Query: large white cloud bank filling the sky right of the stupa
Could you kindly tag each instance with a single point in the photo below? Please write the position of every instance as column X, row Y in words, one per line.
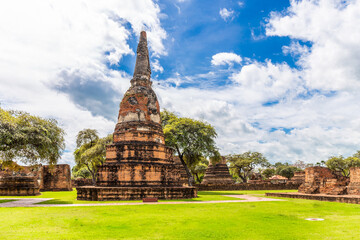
column 307, row 113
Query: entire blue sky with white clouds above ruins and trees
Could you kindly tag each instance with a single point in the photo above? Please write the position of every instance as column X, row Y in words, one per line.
column 278, row 77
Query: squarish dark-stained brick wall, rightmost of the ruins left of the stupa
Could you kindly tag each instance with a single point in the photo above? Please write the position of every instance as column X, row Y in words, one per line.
column 56, row 178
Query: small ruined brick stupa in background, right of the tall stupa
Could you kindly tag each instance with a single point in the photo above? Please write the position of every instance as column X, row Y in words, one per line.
column 218, row 174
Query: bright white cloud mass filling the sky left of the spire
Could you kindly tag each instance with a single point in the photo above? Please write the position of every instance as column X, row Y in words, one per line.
column 41, row 40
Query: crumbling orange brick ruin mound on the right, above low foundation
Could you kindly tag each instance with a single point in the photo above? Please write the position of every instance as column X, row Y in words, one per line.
column 323, row 180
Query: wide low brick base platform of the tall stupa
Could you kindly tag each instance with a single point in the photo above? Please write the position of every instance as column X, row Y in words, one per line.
column 93, row 193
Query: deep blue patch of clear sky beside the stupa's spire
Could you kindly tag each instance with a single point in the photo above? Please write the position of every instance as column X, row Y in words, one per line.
column 196, row 31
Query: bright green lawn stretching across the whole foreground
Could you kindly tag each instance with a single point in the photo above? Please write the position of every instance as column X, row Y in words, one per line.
column 257, row 220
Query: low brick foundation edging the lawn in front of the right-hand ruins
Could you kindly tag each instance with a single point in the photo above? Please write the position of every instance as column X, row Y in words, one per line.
column 320, row 197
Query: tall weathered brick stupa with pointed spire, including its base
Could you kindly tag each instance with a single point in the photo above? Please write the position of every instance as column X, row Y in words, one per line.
column 138, row 164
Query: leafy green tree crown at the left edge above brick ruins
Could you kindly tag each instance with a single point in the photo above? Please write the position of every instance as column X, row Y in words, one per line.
column 30, row 139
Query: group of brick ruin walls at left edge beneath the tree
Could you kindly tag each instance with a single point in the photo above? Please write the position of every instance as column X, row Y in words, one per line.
column 30, row 180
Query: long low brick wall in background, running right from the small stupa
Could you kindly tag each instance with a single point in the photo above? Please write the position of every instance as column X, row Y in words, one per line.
column 248, row 186
